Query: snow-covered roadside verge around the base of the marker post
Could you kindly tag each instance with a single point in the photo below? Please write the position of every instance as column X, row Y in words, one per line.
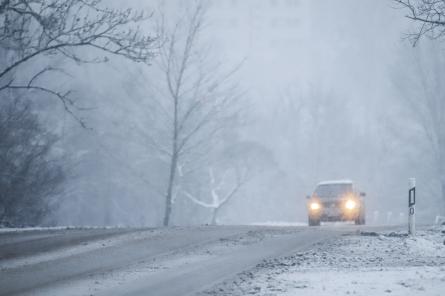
column 365, row 263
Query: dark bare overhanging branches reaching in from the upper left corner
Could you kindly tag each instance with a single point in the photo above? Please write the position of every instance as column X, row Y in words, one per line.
column 36, row 28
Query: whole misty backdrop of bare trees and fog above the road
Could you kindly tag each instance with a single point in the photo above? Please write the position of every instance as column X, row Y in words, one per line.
column 175, row 114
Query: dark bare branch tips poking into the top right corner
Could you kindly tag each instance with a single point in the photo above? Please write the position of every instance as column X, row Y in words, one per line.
column 430, row 16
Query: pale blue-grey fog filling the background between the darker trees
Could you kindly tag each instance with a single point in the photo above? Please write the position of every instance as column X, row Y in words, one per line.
column 320, row 90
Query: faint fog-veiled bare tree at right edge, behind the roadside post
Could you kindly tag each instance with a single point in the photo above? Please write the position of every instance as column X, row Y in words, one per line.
column 420, row 83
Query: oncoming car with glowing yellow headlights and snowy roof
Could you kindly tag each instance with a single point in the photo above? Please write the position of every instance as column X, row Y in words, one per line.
column 337, row 200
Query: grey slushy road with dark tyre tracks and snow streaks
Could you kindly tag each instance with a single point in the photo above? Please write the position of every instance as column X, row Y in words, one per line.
column 176, row 261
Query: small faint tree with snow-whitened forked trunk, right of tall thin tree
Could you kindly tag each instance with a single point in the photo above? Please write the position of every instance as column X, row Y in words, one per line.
column 230, row 169
